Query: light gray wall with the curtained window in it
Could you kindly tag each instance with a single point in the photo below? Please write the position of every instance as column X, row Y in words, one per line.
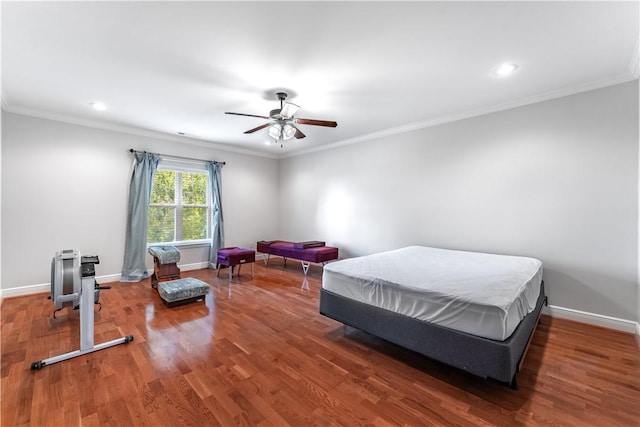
column 66, row 186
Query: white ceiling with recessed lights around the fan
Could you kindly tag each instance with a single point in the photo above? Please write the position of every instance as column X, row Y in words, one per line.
column 374, row 67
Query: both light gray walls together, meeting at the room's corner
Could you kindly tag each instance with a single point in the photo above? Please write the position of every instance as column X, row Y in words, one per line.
column 556, row 180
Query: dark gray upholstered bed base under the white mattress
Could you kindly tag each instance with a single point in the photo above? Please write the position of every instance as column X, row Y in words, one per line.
column 498, row 360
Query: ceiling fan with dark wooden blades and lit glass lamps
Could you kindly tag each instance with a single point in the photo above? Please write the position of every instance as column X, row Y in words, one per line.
column 282, row 124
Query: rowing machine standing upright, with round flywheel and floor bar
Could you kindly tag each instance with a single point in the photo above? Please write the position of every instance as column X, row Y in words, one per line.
column 73, row 284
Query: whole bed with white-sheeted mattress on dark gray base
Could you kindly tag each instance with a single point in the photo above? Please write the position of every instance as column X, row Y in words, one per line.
column 474, row 311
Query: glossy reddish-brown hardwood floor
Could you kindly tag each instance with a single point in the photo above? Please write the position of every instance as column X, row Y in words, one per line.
column 258, row 353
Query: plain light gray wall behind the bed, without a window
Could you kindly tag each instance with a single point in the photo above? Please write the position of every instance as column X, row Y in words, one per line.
column 556, row 180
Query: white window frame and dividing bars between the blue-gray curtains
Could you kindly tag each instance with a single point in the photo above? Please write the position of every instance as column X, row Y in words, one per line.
column 181, row 166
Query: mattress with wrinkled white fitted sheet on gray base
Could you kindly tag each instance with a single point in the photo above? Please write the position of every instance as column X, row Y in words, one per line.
column 481, row 294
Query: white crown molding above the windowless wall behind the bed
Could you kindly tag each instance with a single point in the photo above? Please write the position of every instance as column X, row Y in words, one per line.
column 547, row 96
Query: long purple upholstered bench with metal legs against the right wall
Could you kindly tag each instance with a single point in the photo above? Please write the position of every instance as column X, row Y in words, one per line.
column 306, row 252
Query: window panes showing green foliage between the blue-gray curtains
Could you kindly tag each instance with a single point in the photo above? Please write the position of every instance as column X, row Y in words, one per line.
column 180, row 207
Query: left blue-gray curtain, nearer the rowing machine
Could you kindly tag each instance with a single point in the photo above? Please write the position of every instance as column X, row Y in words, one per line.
column 134, row 268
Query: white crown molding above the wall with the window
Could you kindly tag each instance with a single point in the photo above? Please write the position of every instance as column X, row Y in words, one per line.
column 134, row 131
